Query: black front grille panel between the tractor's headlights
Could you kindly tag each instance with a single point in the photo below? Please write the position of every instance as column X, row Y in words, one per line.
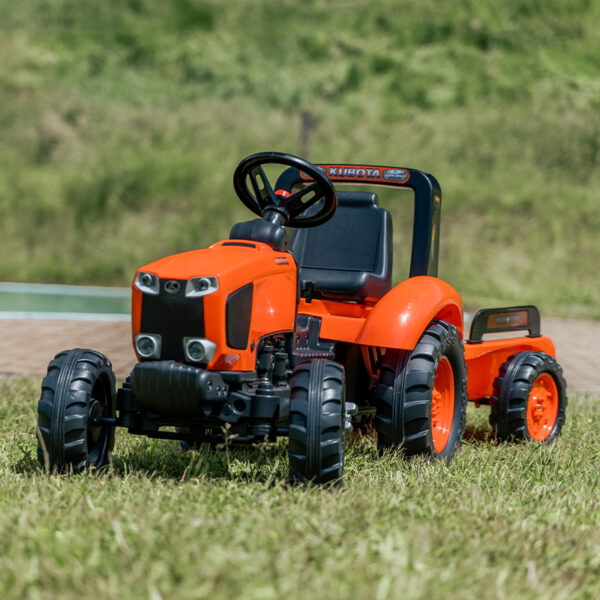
column 174, row 317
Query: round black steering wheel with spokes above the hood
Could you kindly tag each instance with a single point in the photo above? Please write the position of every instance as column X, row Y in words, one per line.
column 281, row 206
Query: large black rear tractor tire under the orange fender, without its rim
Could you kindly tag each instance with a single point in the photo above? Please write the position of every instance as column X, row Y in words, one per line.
column 404, row 392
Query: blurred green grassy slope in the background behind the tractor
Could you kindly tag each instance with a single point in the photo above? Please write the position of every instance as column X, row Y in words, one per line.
column 121, row 124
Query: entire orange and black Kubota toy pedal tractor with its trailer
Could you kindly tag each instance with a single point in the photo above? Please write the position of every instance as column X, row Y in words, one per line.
column 304, row 338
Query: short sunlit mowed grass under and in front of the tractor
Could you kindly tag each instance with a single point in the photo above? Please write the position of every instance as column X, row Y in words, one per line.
column 499, row 521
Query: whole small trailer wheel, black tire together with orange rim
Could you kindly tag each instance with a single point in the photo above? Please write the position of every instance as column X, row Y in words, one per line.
column 530, row 398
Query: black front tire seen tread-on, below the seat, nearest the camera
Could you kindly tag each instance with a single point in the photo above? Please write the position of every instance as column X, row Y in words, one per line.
column 316, row 430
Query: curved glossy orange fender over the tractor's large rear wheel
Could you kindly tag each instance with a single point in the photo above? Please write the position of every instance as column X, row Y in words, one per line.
column 399, row 318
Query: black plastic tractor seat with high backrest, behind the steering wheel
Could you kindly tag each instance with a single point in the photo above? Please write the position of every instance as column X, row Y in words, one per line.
column 350, row 256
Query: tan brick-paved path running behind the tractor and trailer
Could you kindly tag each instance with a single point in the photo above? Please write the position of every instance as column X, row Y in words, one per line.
column 27, row 345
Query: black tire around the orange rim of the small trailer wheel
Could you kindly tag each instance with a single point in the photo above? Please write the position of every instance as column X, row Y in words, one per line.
column 511, row 394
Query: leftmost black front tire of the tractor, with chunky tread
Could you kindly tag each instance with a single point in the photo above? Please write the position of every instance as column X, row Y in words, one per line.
column 77, row 382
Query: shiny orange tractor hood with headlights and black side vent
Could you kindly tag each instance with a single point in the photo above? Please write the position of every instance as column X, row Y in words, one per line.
column 230, row 295
